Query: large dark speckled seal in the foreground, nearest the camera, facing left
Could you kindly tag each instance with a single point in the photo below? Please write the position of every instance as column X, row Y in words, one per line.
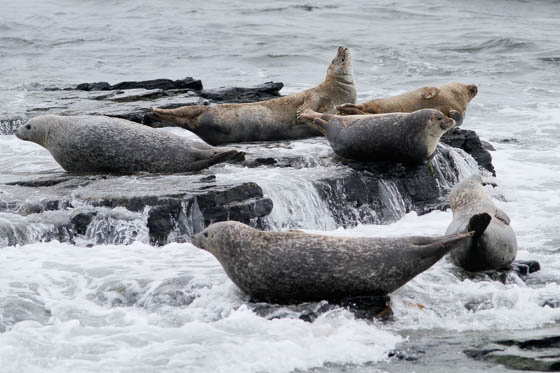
column 293, row 266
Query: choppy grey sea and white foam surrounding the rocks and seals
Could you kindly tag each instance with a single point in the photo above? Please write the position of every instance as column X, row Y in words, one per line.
column 142, row 308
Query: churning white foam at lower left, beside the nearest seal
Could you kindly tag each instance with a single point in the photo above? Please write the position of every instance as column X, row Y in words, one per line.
column 137, row 307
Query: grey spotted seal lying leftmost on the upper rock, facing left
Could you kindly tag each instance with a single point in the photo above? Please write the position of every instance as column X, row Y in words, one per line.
column 89, row 143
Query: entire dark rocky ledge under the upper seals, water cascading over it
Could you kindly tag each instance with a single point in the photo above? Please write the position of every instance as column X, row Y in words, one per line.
column 94, row 209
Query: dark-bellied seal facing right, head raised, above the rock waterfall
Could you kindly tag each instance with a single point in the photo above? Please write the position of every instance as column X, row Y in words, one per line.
column 409, row 138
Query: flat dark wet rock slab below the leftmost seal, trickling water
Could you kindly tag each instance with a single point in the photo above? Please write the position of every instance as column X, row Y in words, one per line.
column 168, row 208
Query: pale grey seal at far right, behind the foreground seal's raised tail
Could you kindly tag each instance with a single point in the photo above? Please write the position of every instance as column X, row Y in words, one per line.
column 493, row 248
